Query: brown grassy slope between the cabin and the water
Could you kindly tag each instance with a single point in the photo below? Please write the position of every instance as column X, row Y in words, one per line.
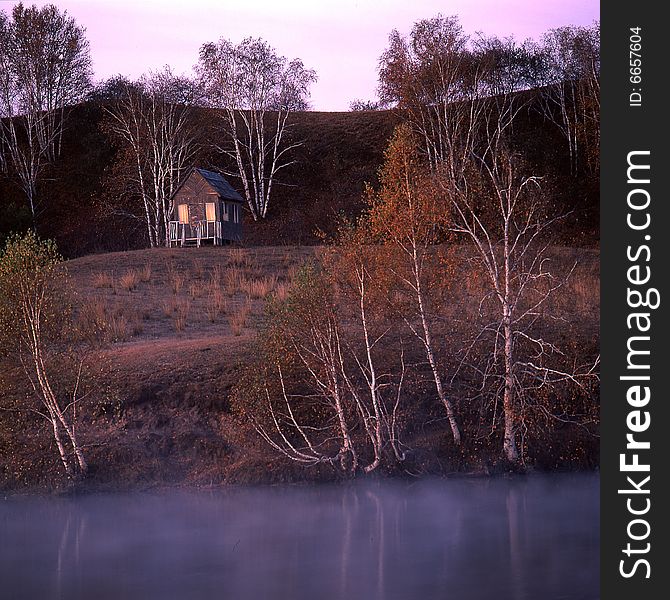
column 172, row 330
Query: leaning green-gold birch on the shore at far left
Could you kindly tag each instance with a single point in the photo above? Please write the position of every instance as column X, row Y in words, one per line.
column 35, row 325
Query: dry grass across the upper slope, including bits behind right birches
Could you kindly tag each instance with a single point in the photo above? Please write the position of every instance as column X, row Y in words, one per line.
column 228, row 301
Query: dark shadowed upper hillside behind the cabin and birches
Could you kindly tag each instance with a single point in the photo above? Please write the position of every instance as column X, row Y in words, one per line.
column 340, row 152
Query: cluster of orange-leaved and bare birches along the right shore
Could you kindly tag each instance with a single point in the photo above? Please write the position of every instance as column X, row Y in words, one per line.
column 372, row 315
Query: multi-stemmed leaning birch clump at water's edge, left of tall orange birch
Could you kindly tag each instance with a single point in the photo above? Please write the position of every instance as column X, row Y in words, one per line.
column 320, row 398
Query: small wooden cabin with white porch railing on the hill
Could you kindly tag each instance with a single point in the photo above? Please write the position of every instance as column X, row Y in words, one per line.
column 205, row 208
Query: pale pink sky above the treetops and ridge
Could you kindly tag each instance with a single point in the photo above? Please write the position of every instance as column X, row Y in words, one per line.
column 341, row 39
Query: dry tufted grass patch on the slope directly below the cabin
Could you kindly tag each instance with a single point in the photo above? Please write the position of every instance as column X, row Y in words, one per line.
column 170, row 301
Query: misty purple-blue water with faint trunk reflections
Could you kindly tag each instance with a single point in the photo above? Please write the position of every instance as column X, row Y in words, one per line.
column 535, row 537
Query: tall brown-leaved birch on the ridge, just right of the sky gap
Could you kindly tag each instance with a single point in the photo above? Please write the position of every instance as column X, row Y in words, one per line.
column 447, row 85
